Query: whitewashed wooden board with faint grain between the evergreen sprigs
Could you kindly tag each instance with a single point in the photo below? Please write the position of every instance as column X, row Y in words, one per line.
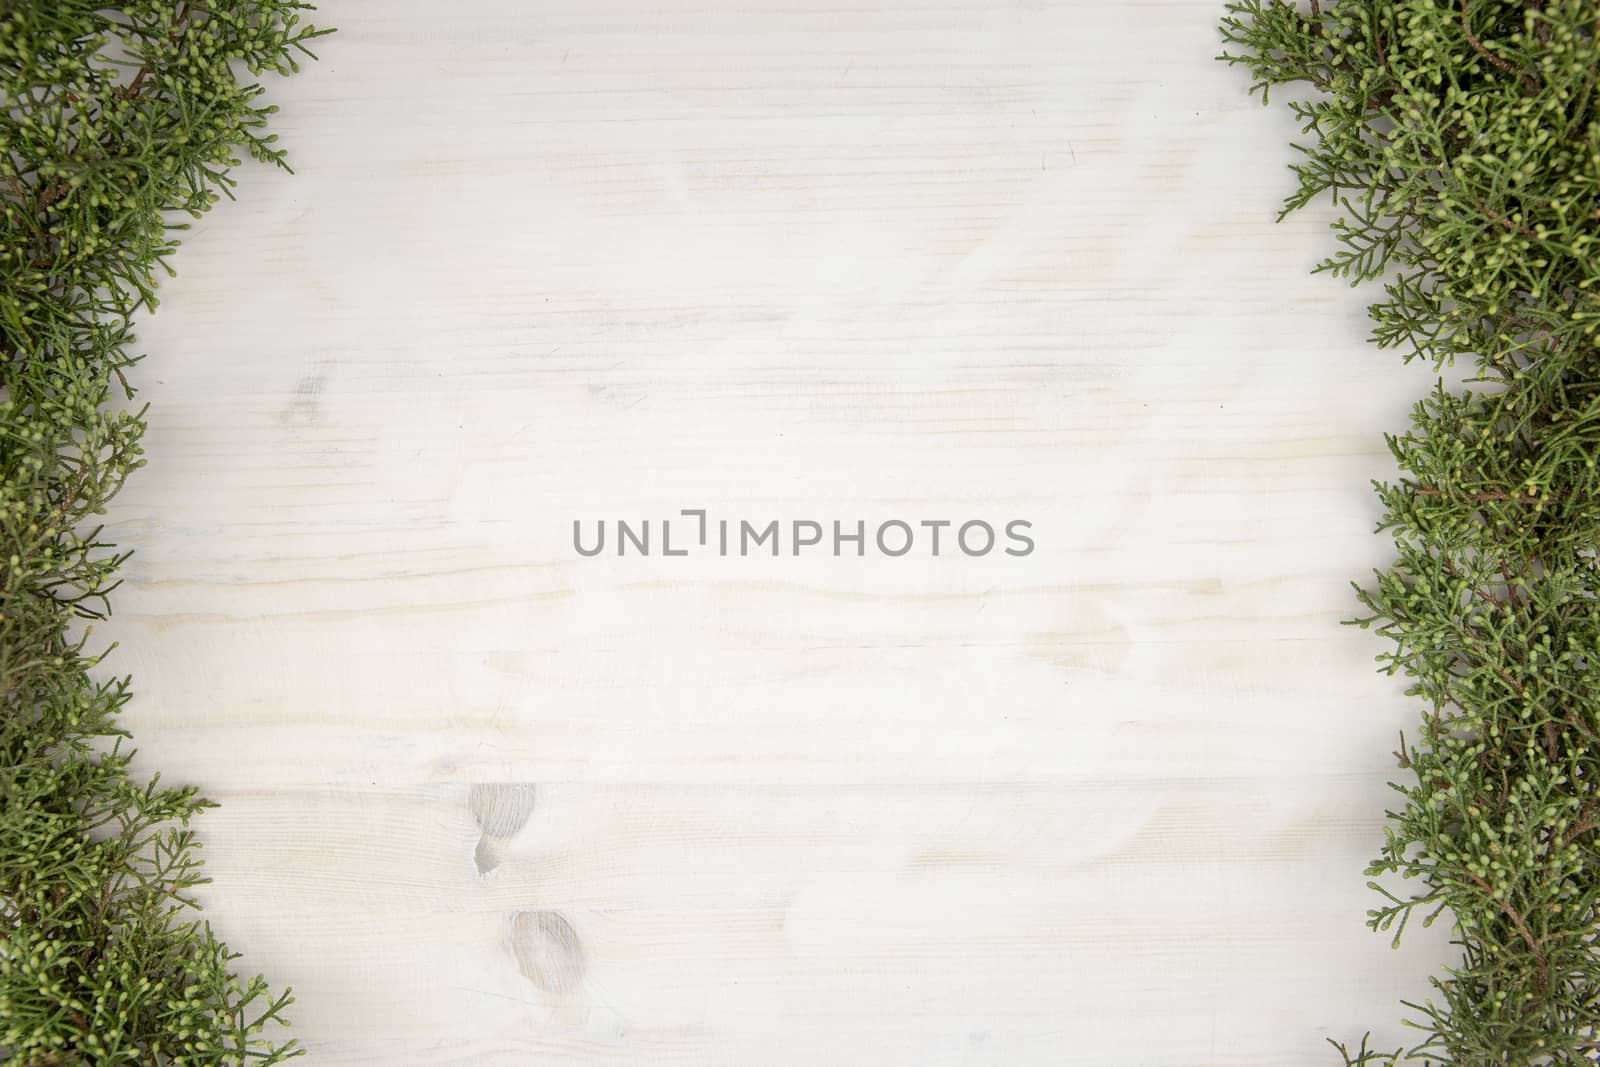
column 486, row 802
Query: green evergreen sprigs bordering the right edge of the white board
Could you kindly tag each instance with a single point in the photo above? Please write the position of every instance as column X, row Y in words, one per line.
column 1462, row 145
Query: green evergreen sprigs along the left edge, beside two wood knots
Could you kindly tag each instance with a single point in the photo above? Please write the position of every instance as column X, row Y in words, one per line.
column 118, row 122
